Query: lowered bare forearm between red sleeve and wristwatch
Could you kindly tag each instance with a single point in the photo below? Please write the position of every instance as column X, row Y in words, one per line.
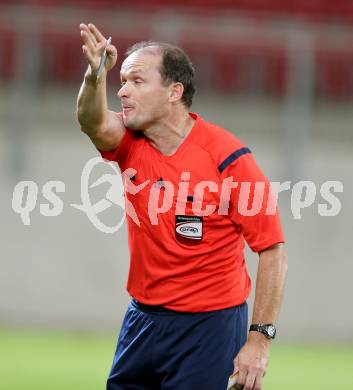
column 271, row 277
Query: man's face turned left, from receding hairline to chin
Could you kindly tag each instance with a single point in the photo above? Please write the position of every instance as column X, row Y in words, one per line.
column 144, row 98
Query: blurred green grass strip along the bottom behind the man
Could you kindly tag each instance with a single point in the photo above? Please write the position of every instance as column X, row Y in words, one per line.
column 43, row 360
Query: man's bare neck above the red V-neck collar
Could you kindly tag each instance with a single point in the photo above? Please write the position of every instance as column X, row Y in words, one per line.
column 168, row 133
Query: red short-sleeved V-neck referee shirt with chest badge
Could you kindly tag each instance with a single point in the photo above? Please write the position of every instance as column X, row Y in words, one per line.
column 183, row 259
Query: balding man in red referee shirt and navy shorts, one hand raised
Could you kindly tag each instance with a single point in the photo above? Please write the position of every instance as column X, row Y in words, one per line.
column 186, row 326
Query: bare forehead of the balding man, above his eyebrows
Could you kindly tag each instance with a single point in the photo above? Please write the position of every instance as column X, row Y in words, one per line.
column 141, row 61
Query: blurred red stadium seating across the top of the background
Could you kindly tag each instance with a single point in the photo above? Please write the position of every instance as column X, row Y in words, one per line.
column 255, row 63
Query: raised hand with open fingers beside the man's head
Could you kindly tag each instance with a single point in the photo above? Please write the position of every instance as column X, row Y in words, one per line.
column 93, row 48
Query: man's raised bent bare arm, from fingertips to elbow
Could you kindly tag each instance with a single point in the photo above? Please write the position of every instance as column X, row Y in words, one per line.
column 104, row 127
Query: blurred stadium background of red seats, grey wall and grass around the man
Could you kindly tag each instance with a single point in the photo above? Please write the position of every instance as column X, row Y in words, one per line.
column 277, row 74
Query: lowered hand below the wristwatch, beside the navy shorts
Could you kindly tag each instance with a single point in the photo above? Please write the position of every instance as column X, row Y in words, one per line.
column 252, row 361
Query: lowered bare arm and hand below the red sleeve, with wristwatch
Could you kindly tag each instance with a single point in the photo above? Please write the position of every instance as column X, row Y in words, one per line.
column 252, row 359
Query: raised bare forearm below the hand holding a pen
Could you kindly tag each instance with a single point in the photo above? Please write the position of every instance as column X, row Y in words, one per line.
column 92, row 106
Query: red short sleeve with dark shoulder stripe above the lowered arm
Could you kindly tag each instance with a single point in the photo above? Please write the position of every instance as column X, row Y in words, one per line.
column 252, row 204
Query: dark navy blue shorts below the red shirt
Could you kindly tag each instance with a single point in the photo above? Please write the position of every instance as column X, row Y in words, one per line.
column 160, row 349
